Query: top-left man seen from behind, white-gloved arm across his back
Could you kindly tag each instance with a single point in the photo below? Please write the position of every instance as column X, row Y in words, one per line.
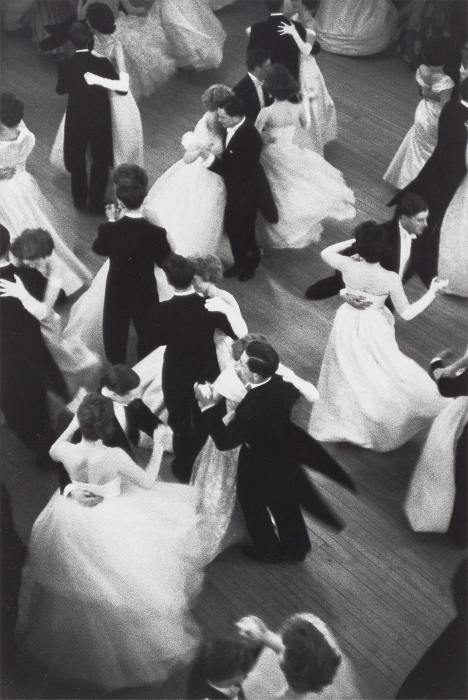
column 87, row 121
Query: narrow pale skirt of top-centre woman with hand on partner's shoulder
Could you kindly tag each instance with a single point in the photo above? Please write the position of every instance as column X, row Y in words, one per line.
column 319, row 106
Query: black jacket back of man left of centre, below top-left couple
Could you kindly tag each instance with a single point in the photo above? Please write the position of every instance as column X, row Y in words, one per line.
column 133, row 247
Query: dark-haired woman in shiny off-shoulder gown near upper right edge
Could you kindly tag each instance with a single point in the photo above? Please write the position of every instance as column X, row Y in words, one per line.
column 420, row 141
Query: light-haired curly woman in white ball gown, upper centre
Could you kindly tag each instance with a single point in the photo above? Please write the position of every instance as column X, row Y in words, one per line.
column 188, row 200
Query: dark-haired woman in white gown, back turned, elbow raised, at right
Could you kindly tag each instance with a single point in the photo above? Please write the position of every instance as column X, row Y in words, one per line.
column 371, row 394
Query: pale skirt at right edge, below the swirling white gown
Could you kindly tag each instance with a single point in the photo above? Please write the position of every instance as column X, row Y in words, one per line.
column 431, row 494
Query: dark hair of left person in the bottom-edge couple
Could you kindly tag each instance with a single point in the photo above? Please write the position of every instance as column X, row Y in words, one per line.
column 223, row 659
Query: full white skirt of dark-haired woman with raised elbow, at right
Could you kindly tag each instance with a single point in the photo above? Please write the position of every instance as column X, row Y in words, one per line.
column 371, row 394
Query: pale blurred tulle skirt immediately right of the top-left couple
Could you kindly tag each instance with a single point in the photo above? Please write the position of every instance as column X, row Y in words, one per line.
column 148, row 58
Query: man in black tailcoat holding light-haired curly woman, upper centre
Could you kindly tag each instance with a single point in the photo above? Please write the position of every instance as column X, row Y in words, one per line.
column 247, row 187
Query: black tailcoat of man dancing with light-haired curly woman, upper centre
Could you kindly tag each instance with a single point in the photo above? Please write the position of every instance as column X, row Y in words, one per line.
column 245, row 179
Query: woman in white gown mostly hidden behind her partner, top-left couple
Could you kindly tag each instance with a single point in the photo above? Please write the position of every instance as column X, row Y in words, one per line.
column 127, row 131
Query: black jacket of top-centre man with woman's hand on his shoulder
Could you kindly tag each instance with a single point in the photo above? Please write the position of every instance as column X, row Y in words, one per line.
column 283, row 48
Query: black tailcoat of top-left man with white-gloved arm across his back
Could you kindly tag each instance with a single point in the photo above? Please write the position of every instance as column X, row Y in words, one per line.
column 88, row 109
